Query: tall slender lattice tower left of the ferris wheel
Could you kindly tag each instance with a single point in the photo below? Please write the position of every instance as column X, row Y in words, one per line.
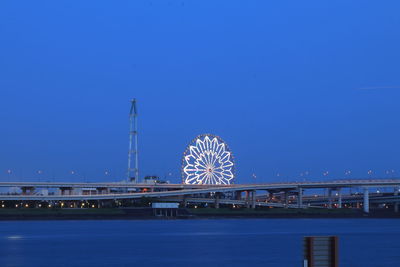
column 133, row 167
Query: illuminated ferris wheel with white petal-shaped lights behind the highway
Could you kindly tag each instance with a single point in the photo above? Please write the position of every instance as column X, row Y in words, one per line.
column 208, row 160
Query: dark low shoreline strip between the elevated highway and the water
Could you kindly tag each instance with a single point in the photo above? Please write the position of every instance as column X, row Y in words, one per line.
column 189, row 214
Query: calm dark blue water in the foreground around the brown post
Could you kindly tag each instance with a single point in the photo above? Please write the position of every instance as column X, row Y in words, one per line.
column 222, row 242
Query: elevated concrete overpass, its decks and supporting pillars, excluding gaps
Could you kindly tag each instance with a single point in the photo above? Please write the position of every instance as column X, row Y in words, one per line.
column 217, row 194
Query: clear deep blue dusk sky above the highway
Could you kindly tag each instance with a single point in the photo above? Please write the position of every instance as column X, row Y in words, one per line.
column 291, row 86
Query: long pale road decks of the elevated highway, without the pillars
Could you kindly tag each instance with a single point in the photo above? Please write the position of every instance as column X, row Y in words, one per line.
column 168, row 190
